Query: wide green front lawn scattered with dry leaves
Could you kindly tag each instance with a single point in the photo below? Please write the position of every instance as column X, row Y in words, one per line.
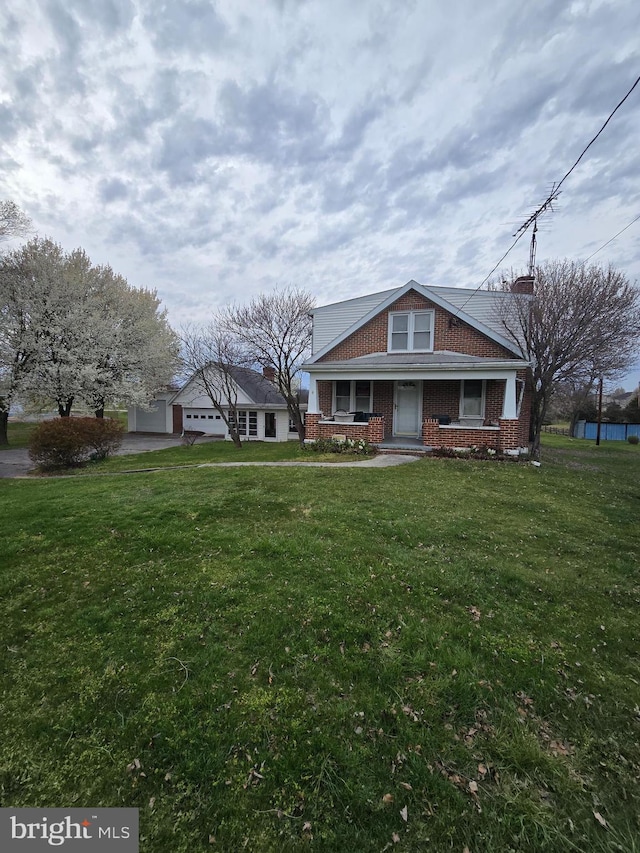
column 280, row 648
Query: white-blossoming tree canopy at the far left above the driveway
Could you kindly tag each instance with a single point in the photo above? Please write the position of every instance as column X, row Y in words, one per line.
column 71, row 331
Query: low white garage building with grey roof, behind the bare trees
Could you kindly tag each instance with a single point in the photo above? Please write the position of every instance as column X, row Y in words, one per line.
column 262, row 410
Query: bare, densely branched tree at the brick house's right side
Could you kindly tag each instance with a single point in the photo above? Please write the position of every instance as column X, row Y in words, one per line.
column 582, row 322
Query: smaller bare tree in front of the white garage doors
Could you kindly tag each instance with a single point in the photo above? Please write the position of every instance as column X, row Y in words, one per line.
column 211, row 356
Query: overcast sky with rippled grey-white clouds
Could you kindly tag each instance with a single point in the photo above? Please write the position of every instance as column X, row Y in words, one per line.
column 213, row 150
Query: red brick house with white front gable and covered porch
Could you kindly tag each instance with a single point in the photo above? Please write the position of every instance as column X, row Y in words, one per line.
column 419, row 366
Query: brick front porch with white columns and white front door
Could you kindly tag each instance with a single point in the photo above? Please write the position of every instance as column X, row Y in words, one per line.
column 478, row 405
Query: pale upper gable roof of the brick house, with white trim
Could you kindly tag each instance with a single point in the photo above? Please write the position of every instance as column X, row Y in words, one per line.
column 360, row 310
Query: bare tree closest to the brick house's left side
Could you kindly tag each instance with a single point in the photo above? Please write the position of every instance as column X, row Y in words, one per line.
column 276, row 329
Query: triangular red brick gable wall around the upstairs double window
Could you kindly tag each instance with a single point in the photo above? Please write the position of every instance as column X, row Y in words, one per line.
column 449, row 333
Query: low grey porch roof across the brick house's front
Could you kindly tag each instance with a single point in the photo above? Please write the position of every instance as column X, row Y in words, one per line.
column 442, row 360
